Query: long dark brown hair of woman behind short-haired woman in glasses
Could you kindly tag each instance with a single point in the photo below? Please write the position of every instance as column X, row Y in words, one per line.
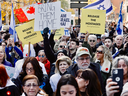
column 36, row 67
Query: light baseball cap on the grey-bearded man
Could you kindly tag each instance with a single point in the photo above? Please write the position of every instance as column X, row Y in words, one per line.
column 82, row 51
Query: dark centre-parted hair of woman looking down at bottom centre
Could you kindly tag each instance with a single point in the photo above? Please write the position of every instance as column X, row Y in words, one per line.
column 67, row 80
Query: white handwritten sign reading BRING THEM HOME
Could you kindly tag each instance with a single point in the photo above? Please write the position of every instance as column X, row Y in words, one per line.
column 47, row 15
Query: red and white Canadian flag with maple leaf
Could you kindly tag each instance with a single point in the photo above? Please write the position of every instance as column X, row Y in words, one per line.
column 25, row 13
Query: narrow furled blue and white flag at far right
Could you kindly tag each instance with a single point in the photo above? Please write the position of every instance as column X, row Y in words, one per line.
column 119, row 27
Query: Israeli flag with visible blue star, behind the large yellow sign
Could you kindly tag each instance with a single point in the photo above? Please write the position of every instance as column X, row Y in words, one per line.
column 101, row 5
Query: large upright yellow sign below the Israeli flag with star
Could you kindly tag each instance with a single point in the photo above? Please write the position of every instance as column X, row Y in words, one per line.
column 93, row 21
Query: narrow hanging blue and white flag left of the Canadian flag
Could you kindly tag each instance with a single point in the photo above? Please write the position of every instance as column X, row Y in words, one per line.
column 12, row 26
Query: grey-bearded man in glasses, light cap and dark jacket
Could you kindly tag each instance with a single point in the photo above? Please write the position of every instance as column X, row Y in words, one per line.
column 82, row 62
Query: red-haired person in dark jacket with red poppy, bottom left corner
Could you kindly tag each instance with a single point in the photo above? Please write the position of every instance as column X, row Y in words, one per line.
column 7, row 87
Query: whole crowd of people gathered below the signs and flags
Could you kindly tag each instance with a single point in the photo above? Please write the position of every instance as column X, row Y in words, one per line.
column 77, row 65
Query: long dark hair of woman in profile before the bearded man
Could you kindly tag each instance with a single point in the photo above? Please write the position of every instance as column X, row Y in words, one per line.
column 94, row 87
